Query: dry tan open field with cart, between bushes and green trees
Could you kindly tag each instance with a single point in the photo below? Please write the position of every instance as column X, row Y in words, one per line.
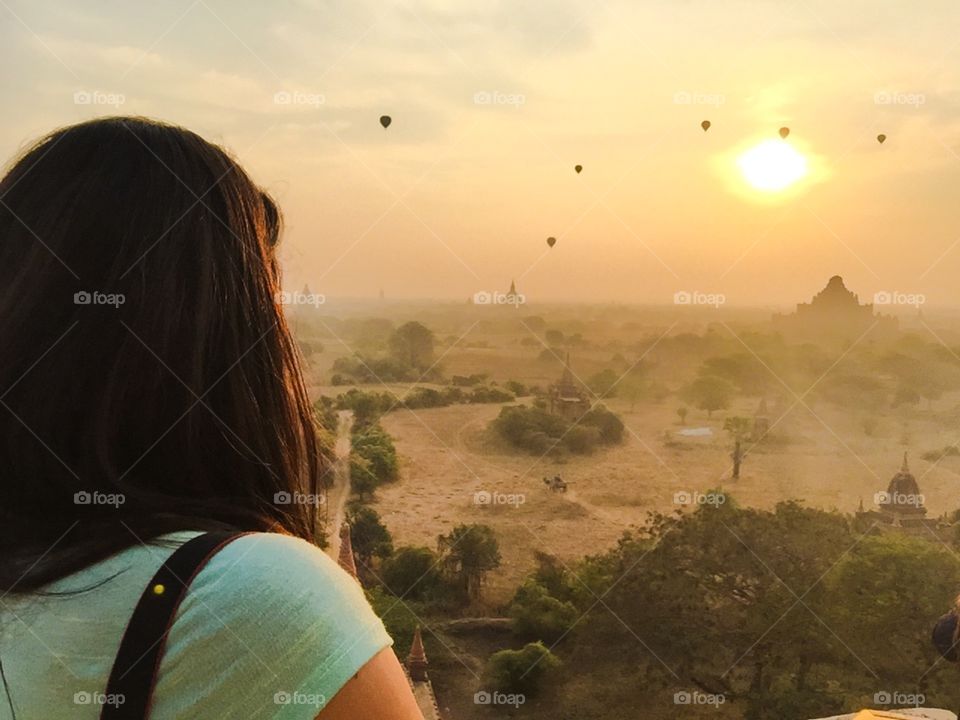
column 822, row 457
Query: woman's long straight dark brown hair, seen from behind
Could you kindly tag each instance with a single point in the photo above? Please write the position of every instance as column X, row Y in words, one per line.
column 148, row 381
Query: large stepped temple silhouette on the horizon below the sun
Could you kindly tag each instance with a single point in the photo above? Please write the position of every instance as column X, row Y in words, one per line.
column 836, row 314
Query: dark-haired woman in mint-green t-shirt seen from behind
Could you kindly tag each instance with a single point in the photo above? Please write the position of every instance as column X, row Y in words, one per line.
column 150, row 393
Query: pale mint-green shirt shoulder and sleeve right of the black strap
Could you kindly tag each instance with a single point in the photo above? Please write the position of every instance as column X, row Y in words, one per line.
column 270, row 622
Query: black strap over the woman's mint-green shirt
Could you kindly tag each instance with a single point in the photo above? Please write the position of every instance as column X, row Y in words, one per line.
column 130, row 687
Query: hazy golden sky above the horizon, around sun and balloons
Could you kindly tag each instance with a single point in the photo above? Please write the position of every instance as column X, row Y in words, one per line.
column 494, row 103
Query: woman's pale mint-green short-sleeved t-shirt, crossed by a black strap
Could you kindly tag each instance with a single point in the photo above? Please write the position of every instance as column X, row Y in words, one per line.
column 270, row 628
